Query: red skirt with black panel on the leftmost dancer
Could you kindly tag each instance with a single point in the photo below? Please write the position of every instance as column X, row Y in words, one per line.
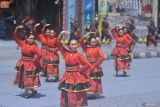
column 27, row 75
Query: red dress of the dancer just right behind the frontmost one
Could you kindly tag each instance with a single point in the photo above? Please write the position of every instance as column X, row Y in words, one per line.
column 95, row 56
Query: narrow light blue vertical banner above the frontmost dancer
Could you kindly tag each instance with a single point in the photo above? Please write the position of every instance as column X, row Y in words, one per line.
column 71, row 13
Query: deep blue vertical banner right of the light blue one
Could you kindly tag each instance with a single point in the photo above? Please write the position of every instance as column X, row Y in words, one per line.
column 88, row 14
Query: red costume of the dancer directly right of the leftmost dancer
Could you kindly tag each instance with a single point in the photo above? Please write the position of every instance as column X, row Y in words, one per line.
column 52, row 58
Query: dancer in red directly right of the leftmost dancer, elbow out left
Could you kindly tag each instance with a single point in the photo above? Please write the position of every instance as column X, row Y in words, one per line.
column 51, row 56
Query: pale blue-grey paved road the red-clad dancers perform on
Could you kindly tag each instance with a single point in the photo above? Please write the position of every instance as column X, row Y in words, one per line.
column 140, row 89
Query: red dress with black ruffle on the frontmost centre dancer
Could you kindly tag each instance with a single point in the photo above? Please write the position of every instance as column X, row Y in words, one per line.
column 73, row 84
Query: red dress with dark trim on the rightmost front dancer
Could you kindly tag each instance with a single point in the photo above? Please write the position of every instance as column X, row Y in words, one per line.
column 120, row 51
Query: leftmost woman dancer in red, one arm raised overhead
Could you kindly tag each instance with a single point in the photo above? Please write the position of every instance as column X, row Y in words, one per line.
column 27, row 76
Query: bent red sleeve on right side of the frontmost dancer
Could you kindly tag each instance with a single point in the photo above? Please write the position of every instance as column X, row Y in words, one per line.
column 84, row 62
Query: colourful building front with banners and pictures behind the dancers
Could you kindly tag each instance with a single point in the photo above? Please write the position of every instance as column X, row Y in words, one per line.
column 85, row 10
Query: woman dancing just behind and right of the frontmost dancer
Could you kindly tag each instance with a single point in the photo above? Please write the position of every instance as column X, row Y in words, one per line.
column 95, row 56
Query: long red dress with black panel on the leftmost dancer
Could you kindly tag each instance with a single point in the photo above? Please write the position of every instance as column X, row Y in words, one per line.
column 28, row 72
